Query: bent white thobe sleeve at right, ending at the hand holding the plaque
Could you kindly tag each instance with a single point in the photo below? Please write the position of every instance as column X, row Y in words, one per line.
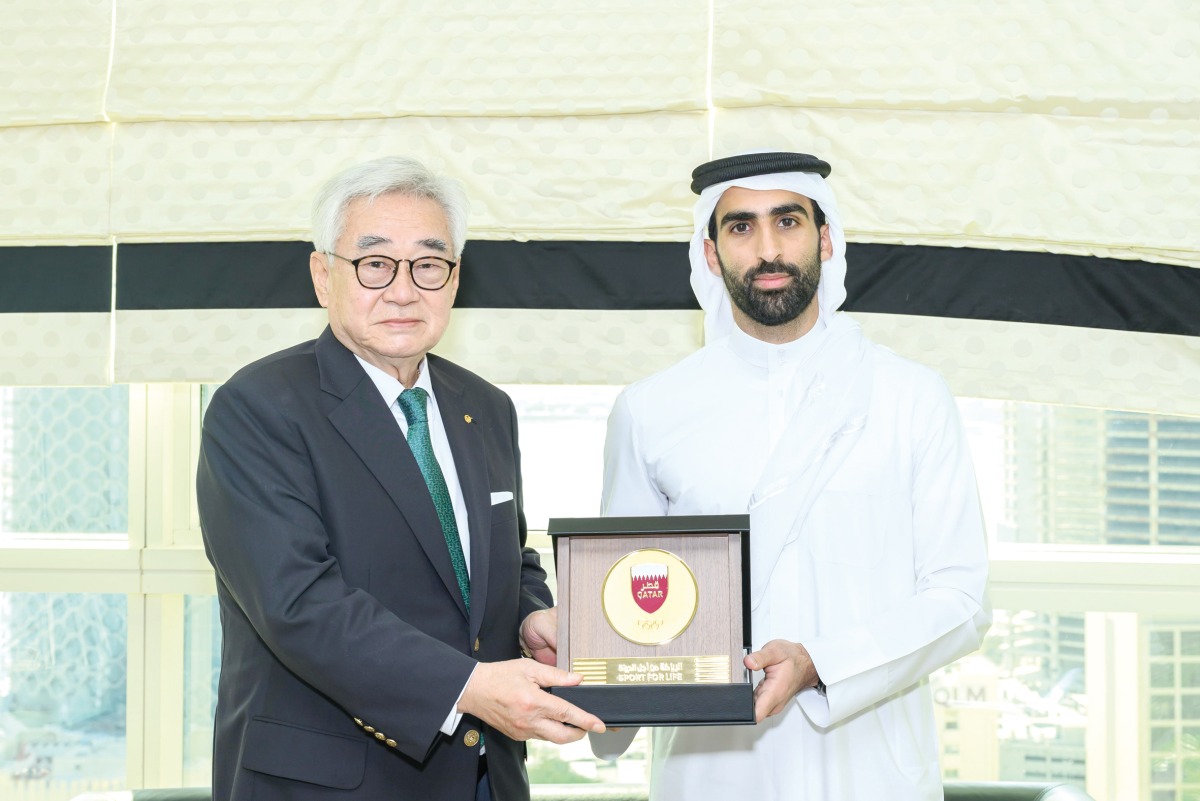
column 949, row 615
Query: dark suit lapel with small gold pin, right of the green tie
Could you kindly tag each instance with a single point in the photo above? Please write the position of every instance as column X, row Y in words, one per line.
column 471, row 462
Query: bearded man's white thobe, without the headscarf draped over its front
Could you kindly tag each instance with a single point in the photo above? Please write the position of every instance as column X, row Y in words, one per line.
column 884, row 582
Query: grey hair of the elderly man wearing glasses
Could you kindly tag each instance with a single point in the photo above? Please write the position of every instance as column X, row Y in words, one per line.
column 388, row 176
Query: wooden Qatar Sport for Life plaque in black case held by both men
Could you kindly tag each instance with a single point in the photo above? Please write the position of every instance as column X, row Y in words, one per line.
column 655, row 613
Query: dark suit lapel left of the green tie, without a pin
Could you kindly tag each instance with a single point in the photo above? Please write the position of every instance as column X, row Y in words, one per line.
column 369, row 427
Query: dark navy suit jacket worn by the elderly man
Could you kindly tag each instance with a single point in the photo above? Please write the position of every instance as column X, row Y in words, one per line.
column 346, row 639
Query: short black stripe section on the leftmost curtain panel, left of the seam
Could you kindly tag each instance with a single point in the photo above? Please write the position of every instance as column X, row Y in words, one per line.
column 56, row 280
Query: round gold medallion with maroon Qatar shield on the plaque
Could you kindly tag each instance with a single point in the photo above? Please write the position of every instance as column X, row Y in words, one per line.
column 650, row 597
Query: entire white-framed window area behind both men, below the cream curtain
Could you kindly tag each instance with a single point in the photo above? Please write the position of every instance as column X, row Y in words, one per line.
column 1094, row 559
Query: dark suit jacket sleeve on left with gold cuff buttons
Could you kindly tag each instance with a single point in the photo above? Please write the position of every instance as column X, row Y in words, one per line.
column 261, row 515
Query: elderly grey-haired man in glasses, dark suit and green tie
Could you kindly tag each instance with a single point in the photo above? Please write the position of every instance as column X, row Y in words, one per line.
column 361, row 502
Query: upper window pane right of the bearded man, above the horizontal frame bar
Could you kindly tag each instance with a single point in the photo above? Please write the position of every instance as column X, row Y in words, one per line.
column 1085, row 477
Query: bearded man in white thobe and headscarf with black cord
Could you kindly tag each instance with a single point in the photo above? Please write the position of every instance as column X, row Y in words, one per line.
column 868, row 550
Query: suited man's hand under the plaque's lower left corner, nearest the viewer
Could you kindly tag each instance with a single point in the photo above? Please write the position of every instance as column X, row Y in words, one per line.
column 509, row 697
